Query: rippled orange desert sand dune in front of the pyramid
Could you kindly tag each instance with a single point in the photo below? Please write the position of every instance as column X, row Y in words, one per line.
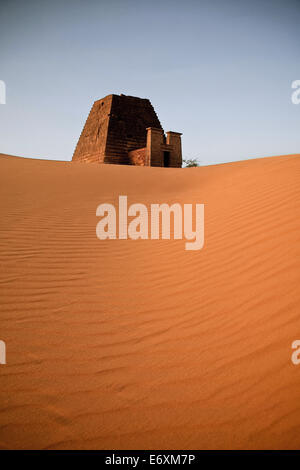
column 124, row 344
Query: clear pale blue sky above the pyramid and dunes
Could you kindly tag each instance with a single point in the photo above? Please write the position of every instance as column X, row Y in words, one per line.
column 219, row 71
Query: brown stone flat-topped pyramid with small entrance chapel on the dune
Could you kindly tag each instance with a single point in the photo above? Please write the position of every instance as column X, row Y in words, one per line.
column 126, row 130
